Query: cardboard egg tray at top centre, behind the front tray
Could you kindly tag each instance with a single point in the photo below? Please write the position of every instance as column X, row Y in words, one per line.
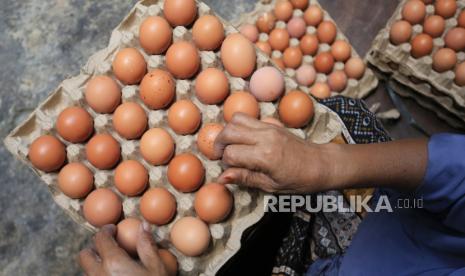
column 355, row 88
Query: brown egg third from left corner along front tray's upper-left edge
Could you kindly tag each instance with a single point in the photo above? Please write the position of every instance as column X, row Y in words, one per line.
column 103, row 94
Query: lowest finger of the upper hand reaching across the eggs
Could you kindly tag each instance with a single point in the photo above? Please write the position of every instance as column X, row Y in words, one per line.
column 247, row 178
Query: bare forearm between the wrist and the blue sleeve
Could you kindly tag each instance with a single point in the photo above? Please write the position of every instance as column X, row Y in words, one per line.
column 399, row 165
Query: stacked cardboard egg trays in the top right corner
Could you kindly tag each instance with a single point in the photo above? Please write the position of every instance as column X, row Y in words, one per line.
column 416, row 78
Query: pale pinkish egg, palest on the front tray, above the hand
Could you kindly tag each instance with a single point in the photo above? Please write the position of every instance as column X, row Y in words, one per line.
column 267, row 84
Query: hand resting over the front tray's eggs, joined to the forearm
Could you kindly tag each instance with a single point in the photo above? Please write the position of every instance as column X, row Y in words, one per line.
column 268, row 157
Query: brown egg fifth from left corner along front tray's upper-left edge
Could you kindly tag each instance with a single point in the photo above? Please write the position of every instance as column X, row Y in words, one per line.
column 155, row 35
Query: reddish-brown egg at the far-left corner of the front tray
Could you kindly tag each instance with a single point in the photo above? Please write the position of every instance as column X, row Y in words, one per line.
column 47, row 153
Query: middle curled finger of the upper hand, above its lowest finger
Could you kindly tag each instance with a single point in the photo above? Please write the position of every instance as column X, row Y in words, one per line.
column 242, row 156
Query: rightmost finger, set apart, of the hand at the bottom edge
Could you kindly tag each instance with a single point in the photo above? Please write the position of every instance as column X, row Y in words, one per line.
column 146, row 247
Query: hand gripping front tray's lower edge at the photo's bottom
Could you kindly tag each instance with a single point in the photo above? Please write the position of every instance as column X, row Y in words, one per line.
column 109, row 259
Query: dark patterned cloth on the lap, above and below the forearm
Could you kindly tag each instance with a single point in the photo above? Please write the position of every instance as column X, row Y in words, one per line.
column 320, row 235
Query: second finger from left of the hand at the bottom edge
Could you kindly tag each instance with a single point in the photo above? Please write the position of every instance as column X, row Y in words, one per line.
column 105, row 243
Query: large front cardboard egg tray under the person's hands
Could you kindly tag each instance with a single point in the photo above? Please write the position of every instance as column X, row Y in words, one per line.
column 248, row 204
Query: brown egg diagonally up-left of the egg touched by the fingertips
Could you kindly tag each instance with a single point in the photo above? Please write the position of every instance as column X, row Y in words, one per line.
column 184, row 117
